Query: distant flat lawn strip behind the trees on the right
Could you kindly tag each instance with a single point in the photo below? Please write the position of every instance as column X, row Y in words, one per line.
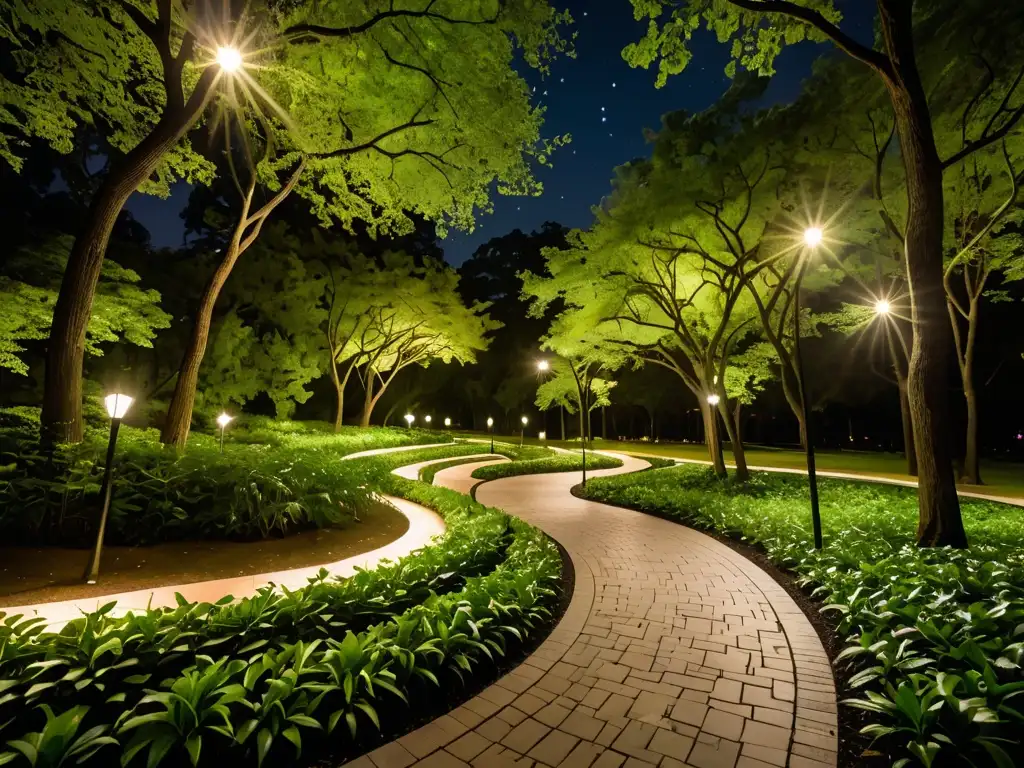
column 1002, row 479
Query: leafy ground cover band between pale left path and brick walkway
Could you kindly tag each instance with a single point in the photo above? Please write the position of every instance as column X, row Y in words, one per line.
column 284, row 676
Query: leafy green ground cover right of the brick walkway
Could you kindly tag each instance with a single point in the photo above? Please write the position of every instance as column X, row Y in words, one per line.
column 935, row 637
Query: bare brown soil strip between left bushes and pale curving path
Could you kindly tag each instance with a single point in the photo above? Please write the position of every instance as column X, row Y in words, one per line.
column 33, row 575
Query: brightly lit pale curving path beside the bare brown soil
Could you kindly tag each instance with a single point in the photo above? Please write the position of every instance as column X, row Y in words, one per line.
column 424, row 525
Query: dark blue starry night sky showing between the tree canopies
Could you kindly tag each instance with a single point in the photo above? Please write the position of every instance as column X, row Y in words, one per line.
column 605, row 105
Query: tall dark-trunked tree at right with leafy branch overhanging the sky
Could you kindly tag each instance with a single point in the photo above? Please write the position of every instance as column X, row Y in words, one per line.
column 756, row 44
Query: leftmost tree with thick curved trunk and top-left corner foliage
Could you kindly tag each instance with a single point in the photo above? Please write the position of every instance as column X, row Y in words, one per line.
column 131, row 70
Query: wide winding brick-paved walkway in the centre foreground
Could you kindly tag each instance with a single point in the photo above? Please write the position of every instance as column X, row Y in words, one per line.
column 675, row 652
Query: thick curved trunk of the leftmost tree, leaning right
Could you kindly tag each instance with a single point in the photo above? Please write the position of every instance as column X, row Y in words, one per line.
column 62, row 414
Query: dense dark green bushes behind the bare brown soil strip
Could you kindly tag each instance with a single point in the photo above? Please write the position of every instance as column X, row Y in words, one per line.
column 291, row 481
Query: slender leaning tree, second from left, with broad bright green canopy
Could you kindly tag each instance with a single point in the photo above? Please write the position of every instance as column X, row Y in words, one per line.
column 423, row 132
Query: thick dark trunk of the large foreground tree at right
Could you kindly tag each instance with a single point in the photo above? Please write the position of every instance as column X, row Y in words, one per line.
column 940, row 517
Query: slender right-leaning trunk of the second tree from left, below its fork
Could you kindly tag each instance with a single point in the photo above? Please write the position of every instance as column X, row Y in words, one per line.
column 180, row 410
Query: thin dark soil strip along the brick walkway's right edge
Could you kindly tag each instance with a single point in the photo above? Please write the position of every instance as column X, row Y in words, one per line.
column 855, row 750
